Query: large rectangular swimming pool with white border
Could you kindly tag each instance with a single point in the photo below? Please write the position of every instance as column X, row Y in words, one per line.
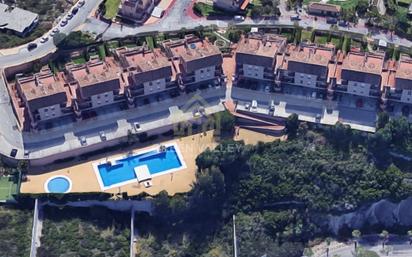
column 122, row 171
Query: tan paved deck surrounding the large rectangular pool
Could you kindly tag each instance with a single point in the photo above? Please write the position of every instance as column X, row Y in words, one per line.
column 84, row 179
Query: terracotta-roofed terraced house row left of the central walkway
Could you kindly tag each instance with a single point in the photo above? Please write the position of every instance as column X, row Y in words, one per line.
column 126, row 79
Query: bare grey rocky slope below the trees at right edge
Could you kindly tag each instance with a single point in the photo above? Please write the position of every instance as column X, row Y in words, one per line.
column 383, row 213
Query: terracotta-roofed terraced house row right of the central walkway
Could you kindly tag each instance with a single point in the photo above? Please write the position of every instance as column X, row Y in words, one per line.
column 267, row 62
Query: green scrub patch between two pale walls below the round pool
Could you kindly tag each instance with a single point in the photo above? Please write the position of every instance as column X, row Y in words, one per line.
column 88, row 232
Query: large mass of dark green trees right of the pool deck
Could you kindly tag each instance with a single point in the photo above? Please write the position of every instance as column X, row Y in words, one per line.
column 277, row 190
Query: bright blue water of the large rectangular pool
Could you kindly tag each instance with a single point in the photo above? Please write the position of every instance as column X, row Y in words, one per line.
column 123, row 170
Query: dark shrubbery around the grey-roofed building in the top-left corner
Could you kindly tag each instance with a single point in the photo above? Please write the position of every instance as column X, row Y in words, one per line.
column 48, row 10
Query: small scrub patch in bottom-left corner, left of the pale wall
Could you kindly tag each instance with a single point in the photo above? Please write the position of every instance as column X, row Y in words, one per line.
column 15, row 232
